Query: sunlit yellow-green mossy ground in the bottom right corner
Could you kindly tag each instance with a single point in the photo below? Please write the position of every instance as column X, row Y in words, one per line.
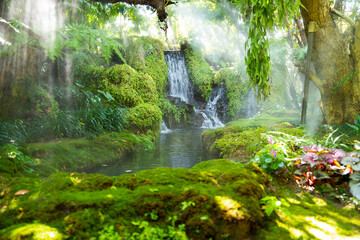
column 310, row 217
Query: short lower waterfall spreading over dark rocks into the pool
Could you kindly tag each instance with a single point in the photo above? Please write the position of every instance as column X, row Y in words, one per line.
column 209, row 113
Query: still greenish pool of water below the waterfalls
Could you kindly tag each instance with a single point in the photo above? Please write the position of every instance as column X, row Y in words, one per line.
column 178, row 148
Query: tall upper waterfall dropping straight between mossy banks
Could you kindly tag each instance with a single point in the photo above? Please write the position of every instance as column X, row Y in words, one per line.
column 180, row 86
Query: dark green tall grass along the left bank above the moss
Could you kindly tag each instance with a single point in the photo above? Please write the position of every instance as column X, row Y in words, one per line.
column 92, row 116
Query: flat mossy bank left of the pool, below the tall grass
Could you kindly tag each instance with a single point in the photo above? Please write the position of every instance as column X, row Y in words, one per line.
column 73, row 154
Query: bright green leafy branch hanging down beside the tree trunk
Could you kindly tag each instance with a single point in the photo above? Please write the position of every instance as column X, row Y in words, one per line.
column 263, row 15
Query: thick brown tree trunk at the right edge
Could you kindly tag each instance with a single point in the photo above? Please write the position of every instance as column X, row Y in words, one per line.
column 336, row 63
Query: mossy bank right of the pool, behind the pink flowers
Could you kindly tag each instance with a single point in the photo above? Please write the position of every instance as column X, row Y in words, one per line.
column 240, row 139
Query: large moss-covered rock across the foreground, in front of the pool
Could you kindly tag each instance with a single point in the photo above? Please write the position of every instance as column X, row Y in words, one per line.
column 215, row 199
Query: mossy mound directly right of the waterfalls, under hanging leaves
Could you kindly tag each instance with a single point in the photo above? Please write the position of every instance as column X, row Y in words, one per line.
column 236, row 90
